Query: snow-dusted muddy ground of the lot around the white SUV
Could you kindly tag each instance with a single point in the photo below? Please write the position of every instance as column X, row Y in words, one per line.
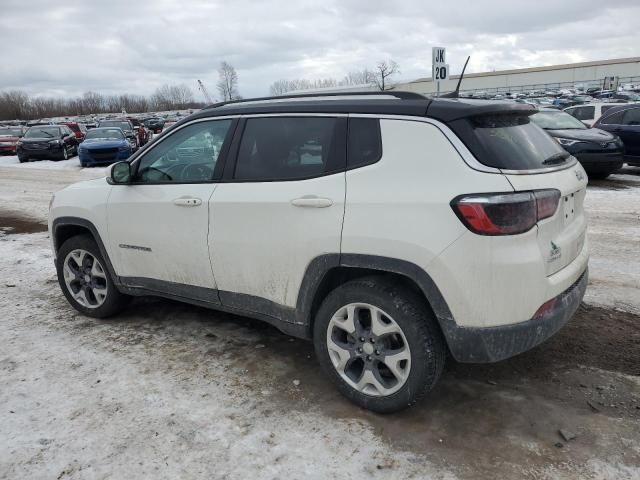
column 174, row 391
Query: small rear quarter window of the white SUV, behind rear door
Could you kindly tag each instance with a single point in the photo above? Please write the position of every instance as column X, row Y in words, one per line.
column 365, row 142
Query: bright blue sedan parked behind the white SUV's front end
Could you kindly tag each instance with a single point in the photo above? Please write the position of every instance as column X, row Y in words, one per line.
column 103, row 146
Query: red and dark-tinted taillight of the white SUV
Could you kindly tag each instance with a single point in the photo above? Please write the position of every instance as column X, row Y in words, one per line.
column 505, row 213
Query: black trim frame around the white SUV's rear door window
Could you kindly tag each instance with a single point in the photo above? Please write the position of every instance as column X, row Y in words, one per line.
column 230, row 166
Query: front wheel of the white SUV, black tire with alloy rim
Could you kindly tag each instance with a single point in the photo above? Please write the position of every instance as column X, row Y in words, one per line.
column 85, row 280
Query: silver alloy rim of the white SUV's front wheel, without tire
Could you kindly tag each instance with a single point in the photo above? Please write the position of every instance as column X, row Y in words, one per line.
column 85, row 278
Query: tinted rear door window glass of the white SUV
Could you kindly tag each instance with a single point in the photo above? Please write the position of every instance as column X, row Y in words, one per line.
column 289, row 148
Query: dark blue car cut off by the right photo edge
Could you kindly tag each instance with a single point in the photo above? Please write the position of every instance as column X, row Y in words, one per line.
column 624, row 121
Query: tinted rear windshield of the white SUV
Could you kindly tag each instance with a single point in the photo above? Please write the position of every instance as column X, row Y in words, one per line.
column 509, row 141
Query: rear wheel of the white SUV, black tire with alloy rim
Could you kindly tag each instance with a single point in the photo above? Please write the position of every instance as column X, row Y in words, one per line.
column 379, row 344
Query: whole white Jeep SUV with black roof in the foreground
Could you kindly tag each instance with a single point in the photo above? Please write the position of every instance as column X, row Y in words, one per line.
column 390, row 229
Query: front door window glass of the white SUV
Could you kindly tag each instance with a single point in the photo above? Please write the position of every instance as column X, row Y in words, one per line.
column 188, row 155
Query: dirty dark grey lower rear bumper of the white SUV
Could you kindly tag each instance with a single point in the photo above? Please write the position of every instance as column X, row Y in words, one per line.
column 492, row 344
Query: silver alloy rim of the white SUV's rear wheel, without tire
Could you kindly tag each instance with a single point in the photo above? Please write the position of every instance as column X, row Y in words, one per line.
column 368, row 349
